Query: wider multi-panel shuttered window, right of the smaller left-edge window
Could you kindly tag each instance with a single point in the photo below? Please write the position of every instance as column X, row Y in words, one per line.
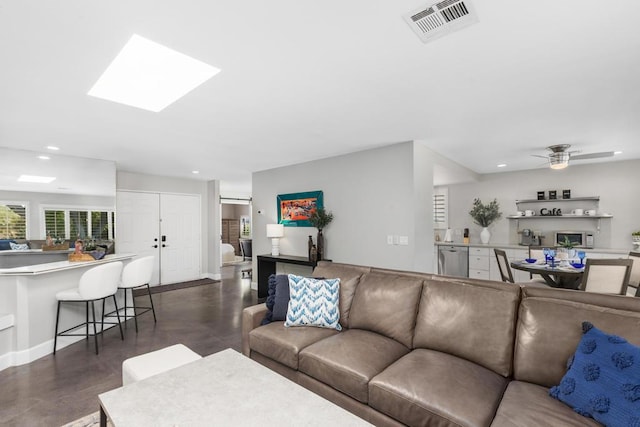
column 75, row 223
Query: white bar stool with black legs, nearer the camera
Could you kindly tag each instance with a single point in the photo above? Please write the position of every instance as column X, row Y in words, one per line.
column 98, row 283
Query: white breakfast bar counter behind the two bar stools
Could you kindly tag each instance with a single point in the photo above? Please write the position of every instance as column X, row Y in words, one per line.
column 28, row 307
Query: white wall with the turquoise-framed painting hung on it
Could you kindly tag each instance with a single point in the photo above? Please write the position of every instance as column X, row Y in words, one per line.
column 371, row 193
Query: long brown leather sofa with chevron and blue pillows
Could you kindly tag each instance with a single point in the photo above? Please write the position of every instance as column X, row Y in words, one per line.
column 428, row 350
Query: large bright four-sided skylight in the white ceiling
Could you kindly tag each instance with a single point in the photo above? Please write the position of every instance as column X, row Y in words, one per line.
column 150, row 76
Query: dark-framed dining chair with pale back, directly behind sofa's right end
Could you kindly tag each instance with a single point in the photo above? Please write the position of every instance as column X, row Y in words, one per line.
column 606, row 276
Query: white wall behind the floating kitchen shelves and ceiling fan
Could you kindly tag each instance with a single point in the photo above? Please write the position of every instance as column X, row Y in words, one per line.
column 616, row 183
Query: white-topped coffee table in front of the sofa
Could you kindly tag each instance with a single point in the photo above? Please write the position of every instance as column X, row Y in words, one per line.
column 224, row 389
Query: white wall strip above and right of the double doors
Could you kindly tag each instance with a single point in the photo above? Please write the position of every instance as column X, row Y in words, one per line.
column 209, row 193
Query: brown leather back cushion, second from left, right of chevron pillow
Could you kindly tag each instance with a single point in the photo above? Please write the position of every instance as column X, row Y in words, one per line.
column 387, row 304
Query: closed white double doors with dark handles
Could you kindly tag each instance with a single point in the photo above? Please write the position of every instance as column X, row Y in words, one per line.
column 166, row 226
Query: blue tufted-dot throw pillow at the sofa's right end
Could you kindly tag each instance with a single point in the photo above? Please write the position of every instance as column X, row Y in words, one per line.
column 603, row 380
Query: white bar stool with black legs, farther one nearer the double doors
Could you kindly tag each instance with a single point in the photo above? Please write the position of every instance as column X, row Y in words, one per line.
column 137, row 274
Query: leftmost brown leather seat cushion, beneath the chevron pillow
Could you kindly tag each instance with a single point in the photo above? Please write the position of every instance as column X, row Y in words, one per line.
column 283, row 344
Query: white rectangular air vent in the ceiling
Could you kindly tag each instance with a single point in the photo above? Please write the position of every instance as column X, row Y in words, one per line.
column 441, row 18
